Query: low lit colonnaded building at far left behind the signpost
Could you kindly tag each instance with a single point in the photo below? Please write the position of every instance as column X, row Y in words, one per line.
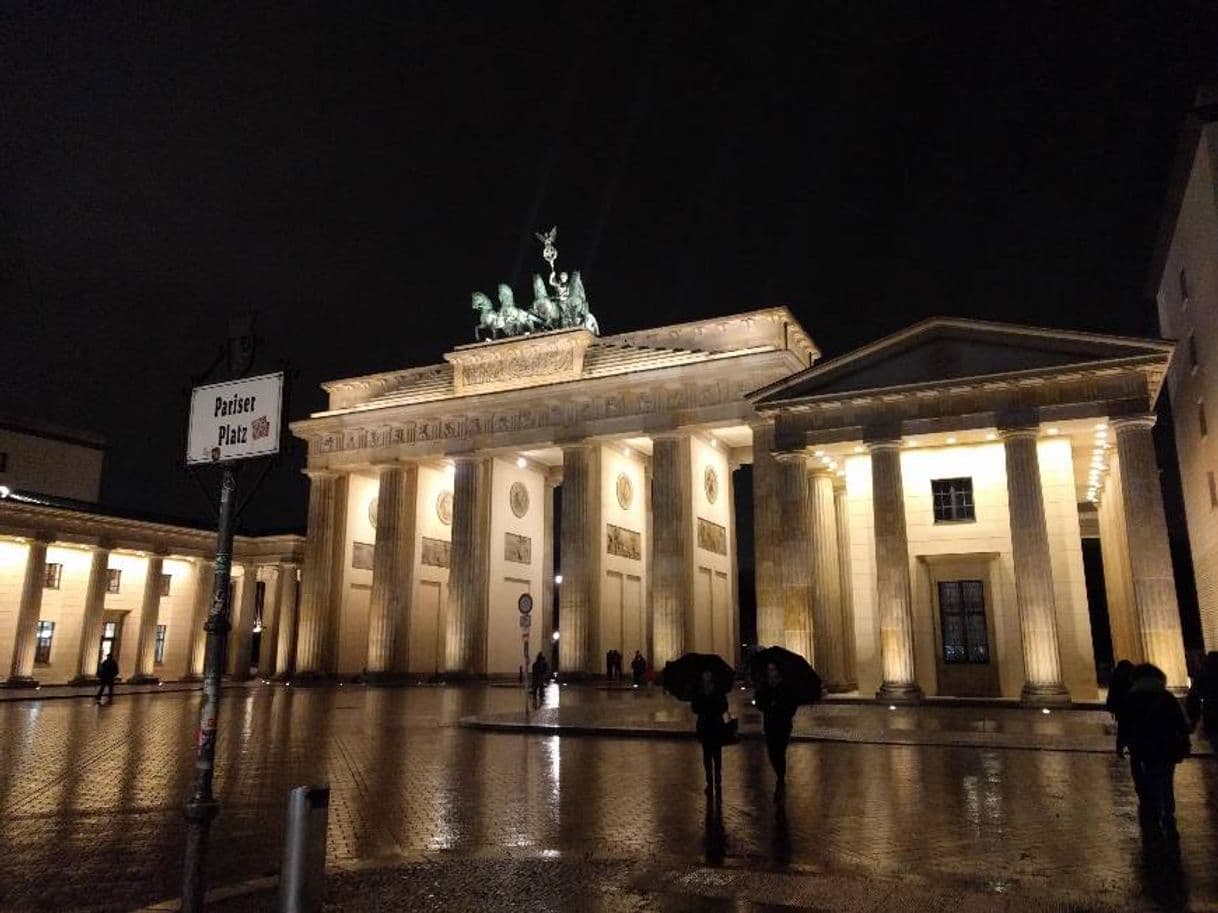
column 79, row 585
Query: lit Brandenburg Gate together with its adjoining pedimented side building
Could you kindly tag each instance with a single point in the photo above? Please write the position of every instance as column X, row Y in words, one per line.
column 919, row 506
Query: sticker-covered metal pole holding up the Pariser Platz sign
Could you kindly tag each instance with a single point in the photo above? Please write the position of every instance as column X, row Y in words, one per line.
column 203, row 808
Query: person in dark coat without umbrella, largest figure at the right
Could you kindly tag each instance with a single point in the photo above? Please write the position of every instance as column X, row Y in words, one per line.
column 1158, row 735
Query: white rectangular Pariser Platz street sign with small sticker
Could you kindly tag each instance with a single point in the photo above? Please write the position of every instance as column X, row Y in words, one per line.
column 236, row 421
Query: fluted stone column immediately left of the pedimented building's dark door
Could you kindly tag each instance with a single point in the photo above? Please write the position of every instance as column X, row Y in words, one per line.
column 893, row 575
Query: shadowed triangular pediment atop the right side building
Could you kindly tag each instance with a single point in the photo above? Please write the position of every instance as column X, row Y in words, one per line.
column 952, row 350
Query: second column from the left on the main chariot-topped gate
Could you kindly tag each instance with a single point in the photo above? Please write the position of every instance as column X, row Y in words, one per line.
column 393, row 561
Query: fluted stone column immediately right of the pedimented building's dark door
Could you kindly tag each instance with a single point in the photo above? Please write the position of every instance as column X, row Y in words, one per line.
column 1033, row 570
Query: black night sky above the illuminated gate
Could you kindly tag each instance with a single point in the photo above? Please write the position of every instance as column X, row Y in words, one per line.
column 353, row 173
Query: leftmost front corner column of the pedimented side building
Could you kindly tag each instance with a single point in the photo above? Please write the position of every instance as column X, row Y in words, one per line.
column 797, row 570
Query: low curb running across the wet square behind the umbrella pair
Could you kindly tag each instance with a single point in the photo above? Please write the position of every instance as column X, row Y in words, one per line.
column 987, row 741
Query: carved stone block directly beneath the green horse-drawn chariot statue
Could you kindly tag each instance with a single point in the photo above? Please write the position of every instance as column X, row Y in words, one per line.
column 521, row 362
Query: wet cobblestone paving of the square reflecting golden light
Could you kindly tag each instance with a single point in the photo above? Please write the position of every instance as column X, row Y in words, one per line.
column 92, row 803
